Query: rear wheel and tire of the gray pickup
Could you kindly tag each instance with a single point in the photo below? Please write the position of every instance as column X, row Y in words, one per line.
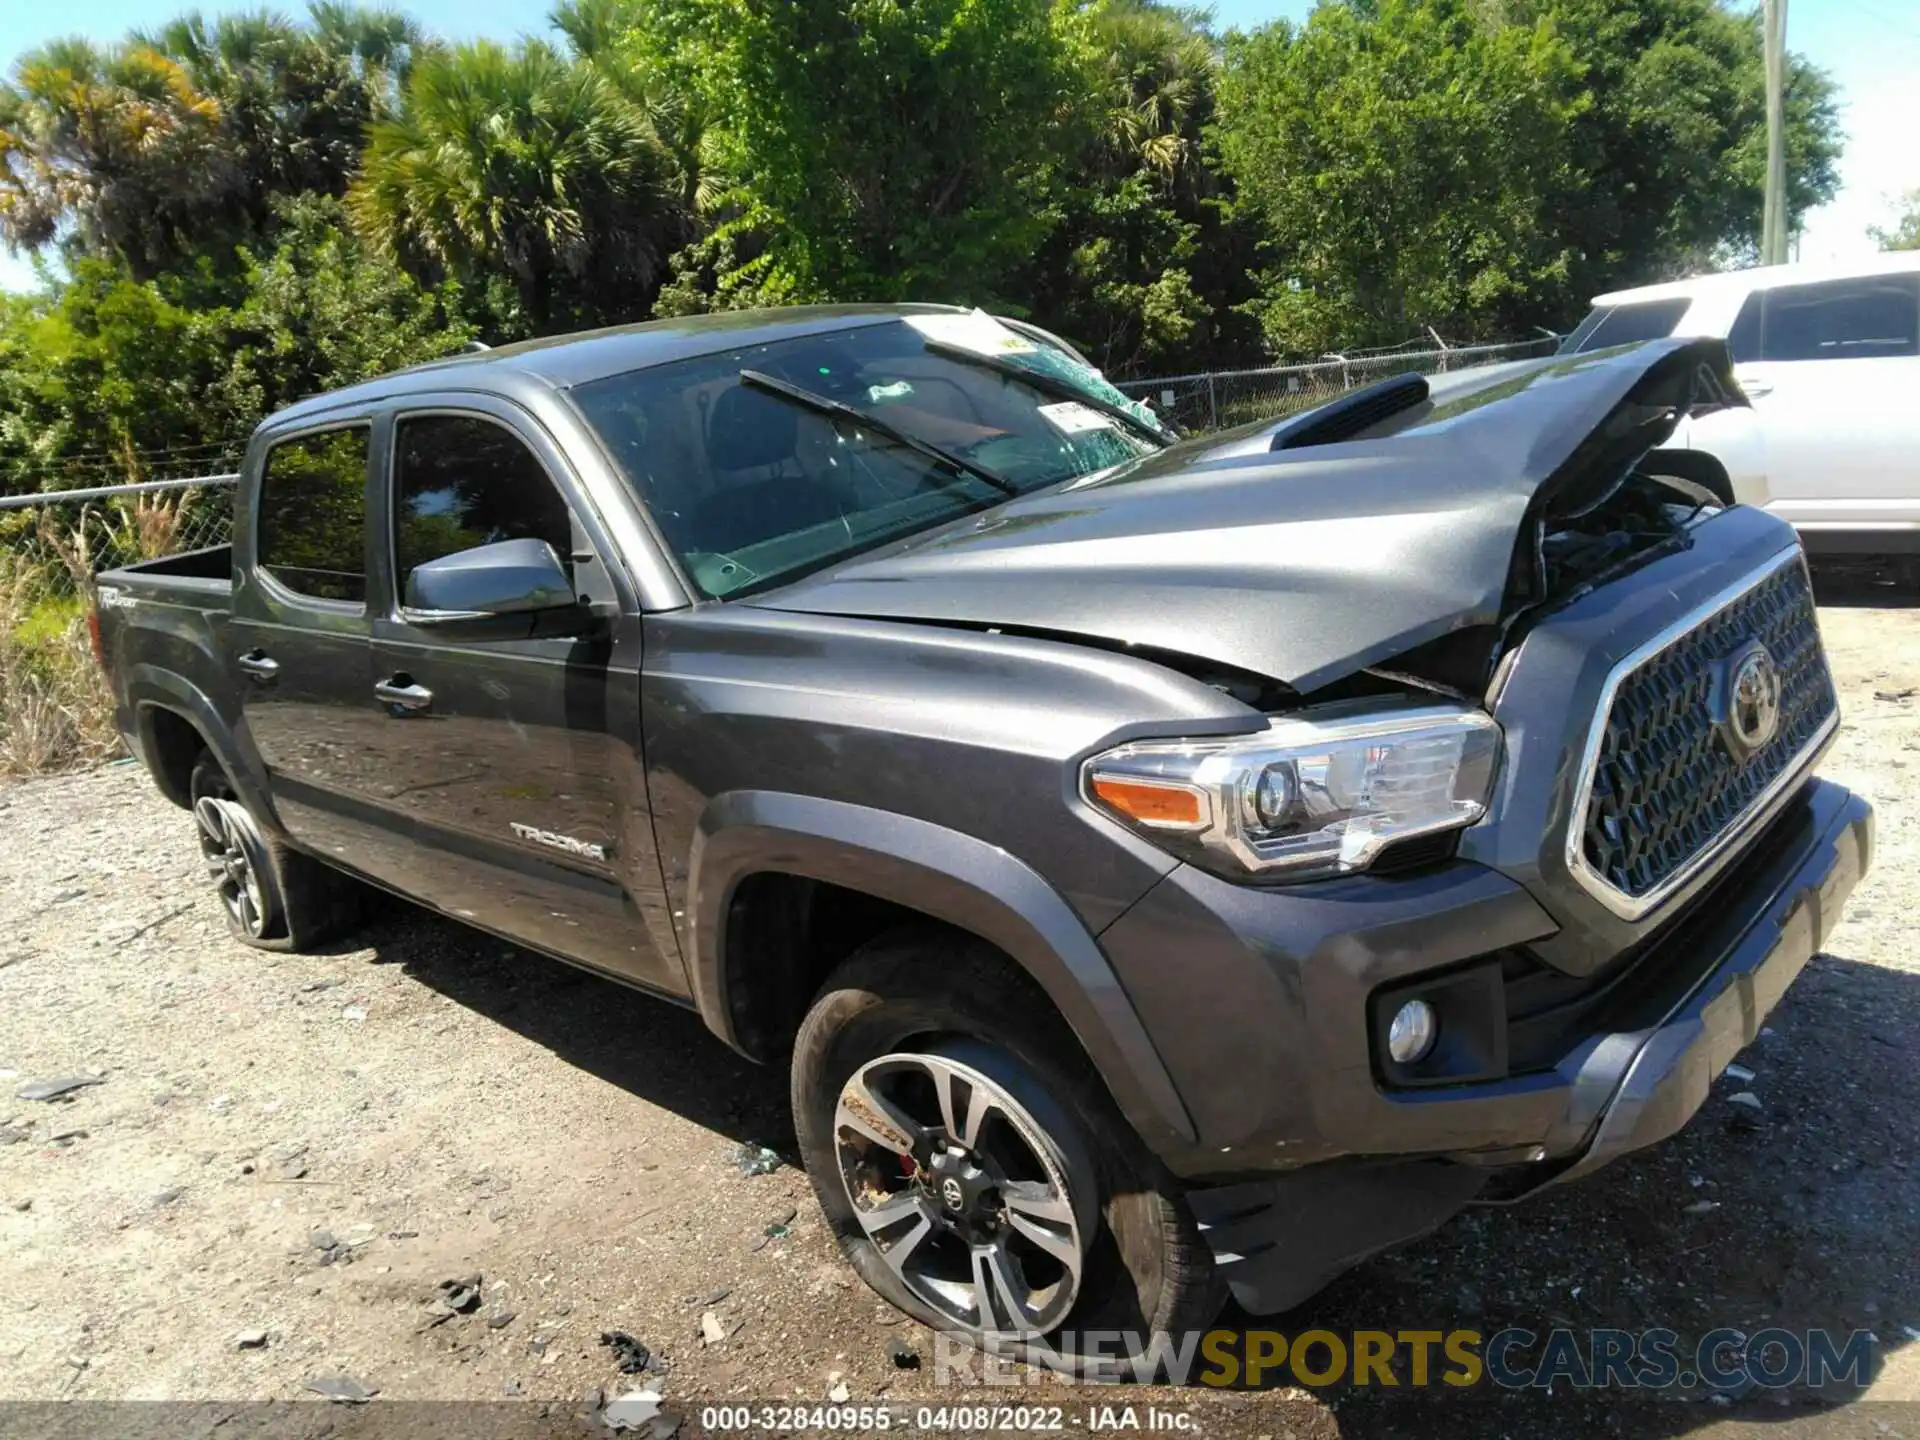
column 274, row 898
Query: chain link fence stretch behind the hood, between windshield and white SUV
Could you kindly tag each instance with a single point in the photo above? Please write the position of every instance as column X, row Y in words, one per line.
column 1220, row 400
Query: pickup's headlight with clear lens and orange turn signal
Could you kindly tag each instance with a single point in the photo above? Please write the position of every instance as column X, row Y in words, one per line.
column 1314, row 794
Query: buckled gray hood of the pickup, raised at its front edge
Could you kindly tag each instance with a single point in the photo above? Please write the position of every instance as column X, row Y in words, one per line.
column 1414, row 552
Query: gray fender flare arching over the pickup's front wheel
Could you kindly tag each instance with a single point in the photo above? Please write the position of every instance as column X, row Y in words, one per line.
column 955, row 878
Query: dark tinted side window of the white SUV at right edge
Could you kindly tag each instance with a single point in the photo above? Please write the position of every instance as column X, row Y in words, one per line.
column 1871, row 318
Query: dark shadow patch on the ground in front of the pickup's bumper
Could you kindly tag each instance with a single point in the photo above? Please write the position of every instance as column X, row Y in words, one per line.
column 1796, row 1216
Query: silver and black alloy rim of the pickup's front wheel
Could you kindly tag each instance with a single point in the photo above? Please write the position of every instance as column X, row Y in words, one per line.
column 963, row 1193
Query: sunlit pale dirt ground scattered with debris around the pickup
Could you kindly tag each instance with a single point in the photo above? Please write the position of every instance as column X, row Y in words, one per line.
column 306, row 1149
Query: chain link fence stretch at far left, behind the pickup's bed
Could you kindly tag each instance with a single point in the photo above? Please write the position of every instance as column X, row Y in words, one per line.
column 64, row 539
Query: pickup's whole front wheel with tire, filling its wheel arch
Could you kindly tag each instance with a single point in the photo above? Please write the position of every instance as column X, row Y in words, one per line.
column 1053, row 1207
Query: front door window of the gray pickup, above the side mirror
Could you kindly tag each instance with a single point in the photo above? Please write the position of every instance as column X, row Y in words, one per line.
column 462, row 481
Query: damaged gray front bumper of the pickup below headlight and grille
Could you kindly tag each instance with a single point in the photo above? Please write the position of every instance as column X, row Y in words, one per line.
column 1385, row 1164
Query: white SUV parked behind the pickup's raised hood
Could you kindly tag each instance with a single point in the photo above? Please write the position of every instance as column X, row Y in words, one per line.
column 1831, row 360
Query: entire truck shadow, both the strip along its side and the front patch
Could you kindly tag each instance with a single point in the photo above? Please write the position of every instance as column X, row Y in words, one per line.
column 1798, row 1216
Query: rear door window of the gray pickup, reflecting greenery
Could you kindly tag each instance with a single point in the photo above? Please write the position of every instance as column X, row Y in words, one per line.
column 312, row 531
